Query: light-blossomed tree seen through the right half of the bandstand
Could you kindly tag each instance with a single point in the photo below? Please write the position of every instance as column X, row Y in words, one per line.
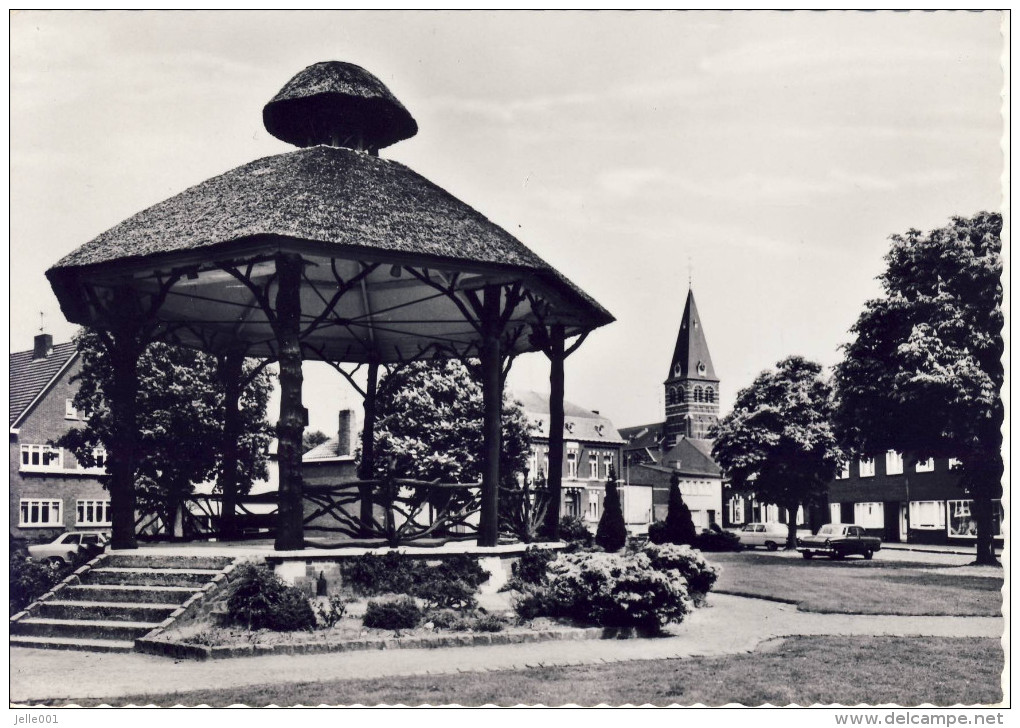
column 429, row 426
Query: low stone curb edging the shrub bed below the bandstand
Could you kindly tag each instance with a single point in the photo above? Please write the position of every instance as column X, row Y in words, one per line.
column 169, row 649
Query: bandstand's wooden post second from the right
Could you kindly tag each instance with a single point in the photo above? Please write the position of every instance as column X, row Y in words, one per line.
column 492, row 392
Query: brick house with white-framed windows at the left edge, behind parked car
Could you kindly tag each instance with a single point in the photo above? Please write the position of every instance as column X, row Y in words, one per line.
column 49, row 491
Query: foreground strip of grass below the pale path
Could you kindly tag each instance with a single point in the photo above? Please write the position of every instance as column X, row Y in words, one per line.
column 907, row 671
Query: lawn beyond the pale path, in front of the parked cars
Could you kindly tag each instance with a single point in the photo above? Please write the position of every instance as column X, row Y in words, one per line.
column 858, row 587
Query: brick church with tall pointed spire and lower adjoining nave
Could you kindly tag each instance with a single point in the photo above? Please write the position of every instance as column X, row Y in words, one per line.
column 680, row 445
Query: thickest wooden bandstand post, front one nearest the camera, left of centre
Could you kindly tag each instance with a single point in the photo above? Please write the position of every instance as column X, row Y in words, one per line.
column 291, row 428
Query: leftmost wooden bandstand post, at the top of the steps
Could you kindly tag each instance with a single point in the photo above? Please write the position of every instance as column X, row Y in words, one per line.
column 125, row 349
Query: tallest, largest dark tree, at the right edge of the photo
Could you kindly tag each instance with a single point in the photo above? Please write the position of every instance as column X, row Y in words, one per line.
column 925, row 372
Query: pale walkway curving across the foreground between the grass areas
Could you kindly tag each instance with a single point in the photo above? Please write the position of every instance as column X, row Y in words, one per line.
column 731, row 626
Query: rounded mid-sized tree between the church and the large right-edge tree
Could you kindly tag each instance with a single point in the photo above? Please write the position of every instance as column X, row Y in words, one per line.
column 780, row 443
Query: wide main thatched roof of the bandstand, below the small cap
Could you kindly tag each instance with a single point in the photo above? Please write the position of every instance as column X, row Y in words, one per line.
column 339, row 210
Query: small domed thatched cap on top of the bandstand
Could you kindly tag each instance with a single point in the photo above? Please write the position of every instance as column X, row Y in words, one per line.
column 340, row 105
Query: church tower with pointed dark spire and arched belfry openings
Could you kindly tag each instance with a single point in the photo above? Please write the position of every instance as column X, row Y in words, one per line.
column 692, row 387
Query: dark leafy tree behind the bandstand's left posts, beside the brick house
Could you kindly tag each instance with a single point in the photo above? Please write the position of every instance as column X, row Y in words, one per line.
column 181, row 415
